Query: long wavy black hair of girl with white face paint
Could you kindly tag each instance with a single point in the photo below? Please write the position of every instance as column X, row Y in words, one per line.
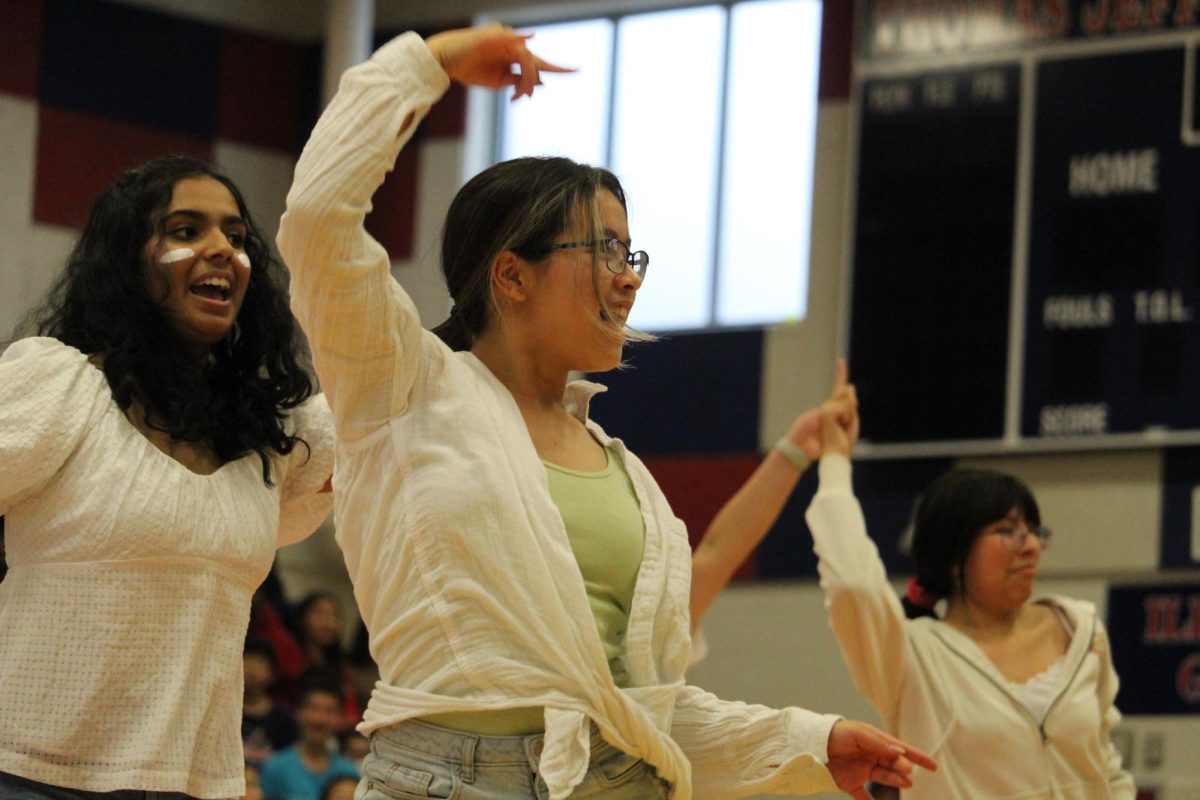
column 238, row 396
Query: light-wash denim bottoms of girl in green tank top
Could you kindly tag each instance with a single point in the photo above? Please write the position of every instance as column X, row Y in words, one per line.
column 418, row 760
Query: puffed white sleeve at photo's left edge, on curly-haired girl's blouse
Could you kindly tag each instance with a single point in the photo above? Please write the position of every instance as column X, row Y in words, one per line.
column 50, row 398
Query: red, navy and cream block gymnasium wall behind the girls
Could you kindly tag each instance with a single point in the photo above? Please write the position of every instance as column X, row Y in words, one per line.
column 88, row 88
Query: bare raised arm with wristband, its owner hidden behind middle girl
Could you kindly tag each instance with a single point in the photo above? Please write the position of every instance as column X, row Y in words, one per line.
column 746, row 519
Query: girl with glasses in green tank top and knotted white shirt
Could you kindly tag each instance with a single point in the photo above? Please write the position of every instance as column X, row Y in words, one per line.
column 524, row 581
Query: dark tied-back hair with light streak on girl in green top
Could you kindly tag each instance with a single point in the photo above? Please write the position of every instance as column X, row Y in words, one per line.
column 519, row 206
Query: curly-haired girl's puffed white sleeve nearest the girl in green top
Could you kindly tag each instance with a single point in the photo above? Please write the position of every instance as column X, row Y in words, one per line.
column 303, row 506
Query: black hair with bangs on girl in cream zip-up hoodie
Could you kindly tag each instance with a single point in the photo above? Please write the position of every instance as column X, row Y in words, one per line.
column 950, row 516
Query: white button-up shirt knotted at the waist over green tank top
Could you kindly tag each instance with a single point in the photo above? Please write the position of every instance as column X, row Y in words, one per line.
column 461, row 564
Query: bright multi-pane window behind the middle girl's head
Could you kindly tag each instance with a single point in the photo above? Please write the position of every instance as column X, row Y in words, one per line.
column 709, row 117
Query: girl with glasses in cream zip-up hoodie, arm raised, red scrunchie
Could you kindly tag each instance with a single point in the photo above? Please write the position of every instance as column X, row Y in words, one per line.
column 1012, row 693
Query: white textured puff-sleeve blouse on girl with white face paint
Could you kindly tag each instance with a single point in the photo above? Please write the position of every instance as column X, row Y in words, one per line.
column 128, row 598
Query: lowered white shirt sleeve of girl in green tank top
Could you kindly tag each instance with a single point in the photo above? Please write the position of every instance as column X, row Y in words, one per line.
column 739, row 750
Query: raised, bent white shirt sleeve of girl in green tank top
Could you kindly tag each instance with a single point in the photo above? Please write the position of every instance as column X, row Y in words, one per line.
column 364, row 330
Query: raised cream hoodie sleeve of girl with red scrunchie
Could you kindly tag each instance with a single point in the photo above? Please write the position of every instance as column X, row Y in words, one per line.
column 865, row 612
